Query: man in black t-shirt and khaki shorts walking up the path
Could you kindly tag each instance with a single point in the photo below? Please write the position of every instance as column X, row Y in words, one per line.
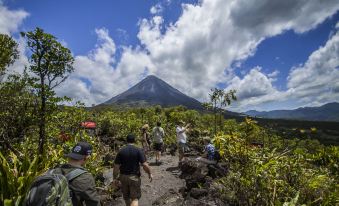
column 127, row 163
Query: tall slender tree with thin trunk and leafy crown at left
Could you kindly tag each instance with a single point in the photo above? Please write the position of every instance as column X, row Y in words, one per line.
column 51, row 63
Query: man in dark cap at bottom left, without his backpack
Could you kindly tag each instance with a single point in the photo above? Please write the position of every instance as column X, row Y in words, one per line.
column 83, row 186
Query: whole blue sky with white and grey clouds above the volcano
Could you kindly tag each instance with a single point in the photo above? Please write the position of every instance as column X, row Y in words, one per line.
column 277, row 55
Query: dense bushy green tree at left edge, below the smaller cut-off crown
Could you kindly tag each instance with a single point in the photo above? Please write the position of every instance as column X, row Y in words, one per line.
column 17, row 111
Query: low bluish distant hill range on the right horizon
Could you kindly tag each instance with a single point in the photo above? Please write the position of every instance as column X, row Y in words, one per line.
column 327, row 112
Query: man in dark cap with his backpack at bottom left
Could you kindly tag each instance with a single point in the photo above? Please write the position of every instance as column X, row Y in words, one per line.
column 68, row 184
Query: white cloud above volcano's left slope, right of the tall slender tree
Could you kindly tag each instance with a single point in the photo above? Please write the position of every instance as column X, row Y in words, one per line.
column 95, row 79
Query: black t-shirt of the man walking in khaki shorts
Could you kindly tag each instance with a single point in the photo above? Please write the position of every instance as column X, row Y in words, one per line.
column 129, row 158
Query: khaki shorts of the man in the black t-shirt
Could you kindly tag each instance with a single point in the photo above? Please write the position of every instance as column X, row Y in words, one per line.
column 130, row 186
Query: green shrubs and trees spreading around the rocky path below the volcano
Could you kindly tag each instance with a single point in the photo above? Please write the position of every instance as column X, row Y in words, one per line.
column 263, row 167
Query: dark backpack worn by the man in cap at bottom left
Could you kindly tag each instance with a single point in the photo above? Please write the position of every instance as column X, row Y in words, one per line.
column 51, row 189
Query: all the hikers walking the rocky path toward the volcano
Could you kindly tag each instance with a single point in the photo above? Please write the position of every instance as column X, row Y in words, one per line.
column 126, row 170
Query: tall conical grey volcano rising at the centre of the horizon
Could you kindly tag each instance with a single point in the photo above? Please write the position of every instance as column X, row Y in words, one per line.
column 153, row 91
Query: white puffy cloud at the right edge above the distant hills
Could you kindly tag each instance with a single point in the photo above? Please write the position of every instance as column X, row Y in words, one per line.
column 317, row 79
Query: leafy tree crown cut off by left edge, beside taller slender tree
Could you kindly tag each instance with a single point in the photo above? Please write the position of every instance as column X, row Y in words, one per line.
column 8, row 52
